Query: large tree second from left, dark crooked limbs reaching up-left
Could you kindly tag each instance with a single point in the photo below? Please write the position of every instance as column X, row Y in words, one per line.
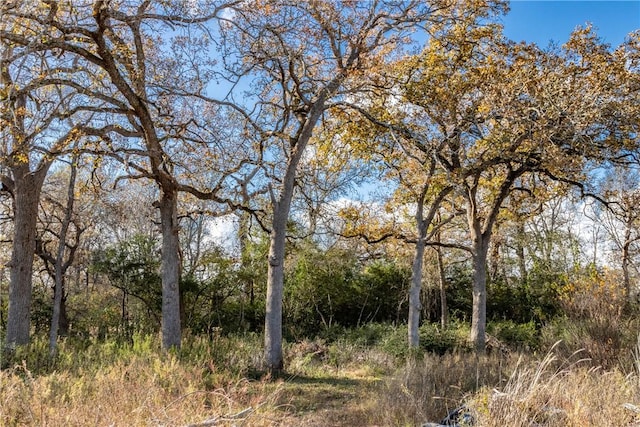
column 134, row 110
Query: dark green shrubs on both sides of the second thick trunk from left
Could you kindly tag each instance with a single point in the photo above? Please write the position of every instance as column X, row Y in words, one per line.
column 219, row 295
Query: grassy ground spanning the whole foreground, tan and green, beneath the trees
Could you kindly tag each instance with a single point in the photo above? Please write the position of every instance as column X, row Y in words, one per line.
column 343, row 383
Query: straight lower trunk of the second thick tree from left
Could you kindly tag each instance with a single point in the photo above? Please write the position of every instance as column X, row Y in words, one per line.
column 171, row 333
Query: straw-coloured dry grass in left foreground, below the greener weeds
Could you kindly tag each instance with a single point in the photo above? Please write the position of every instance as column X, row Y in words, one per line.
column 138, row 392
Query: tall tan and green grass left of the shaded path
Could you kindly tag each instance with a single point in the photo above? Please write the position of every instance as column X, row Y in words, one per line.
column 129, row 385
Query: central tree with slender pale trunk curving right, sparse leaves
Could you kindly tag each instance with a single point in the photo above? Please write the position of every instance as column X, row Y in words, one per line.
column 303, row 57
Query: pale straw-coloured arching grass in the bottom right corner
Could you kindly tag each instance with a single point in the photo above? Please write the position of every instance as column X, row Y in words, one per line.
column 556, row 392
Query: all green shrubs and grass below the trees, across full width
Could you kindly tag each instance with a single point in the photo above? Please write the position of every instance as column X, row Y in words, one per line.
column 561, row 348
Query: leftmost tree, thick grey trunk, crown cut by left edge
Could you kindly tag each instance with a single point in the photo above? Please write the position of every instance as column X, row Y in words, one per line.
column 36, row 123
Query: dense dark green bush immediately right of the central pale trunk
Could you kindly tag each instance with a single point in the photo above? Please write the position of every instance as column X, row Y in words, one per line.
column 328, row 288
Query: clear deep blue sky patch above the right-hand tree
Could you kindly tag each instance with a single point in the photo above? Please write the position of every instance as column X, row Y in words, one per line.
column 541, row 21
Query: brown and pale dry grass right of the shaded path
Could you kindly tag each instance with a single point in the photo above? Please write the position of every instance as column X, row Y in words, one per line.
column 517, row 390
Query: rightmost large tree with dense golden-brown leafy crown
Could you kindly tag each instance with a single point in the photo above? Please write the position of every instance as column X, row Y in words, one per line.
column 504, row 111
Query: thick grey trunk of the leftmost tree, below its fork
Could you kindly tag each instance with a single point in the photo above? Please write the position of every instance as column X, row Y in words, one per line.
column 27, row 187
